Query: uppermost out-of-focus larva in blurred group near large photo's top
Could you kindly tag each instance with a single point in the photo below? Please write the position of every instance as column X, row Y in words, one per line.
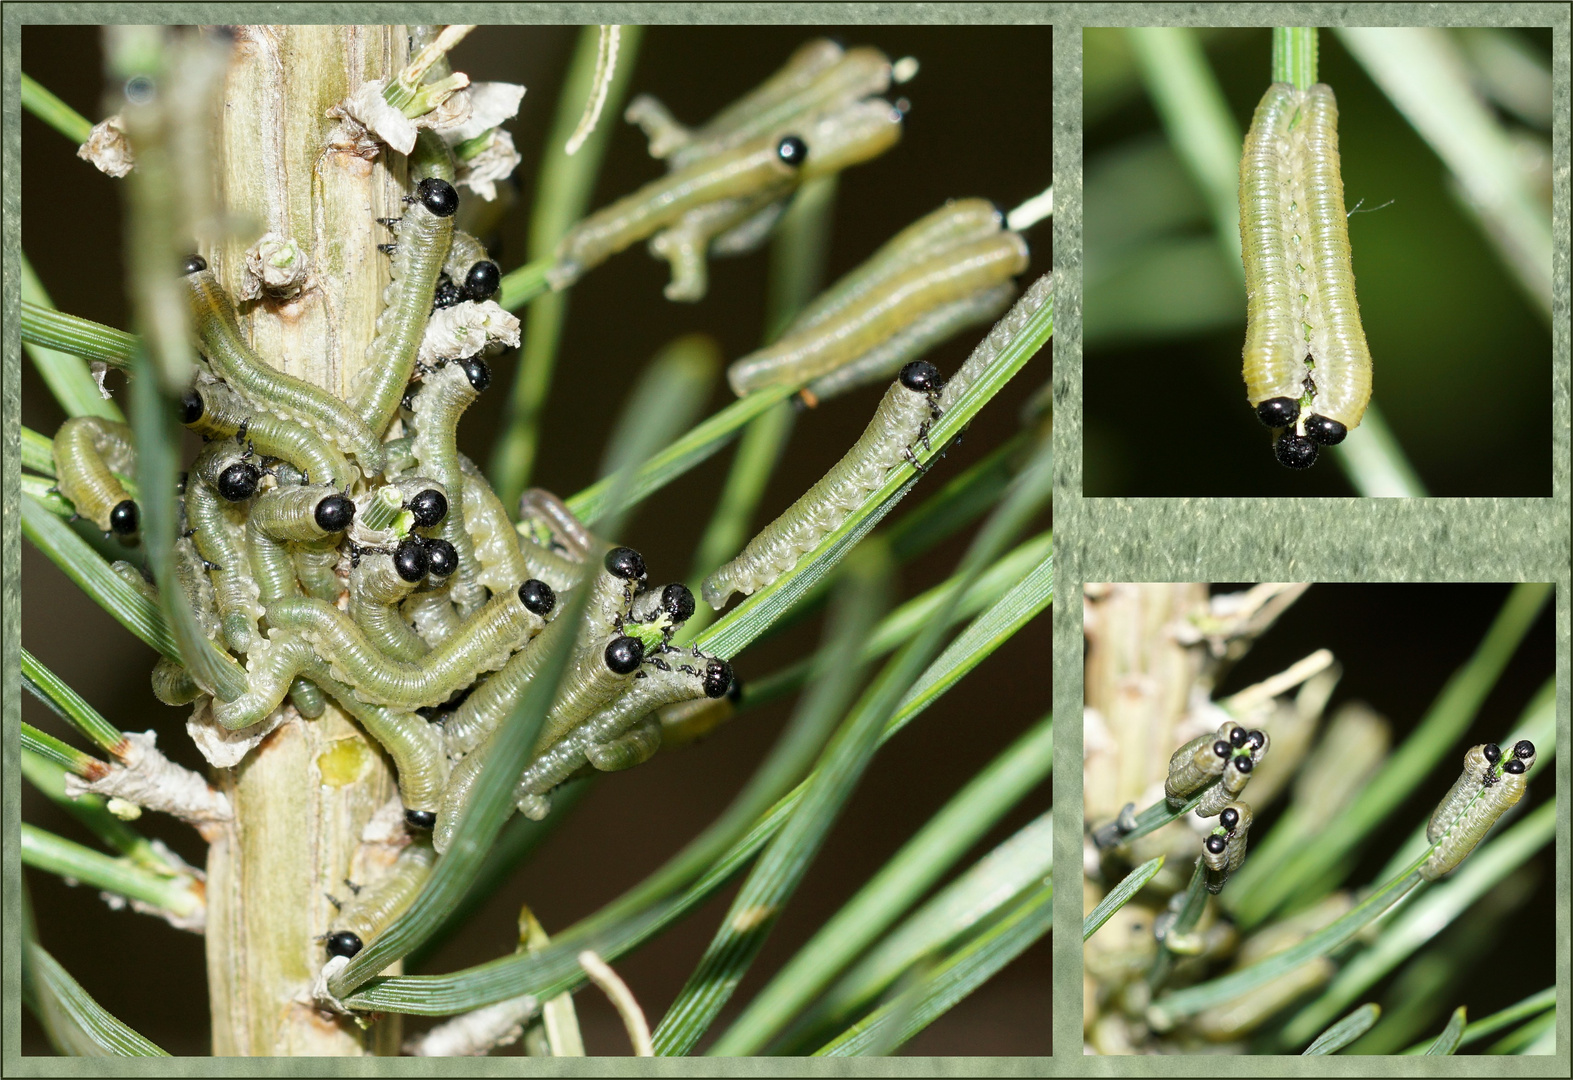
column 820, row 76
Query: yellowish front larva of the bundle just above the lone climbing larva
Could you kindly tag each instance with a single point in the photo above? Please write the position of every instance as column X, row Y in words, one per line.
column 882, row 312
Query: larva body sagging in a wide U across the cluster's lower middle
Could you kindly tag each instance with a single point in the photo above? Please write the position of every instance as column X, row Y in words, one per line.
column 484, row 644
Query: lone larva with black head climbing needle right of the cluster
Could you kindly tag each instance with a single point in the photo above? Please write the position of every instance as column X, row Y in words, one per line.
column 901, row 422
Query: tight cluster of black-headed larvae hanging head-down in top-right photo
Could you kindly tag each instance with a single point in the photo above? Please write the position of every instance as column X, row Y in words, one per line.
column 1306, row 362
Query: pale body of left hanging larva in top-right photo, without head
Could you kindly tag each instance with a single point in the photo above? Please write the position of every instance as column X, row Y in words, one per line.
column 1275, row 353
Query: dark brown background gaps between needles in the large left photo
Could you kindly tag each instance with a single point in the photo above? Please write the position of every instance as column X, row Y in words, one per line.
column 979, row 125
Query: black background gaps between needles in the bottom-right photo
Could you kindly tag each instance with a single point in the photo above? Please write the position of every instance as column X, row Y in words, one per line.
column 1399, row 645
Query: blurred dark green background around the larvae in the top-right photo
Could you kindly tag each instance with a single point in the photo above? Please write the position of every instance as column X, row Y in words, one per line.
column 1462, row 359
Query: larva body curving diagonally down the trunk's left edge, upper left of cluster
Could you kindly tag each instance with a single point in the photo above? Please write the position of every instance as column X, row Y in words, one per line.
column 267, row 388
